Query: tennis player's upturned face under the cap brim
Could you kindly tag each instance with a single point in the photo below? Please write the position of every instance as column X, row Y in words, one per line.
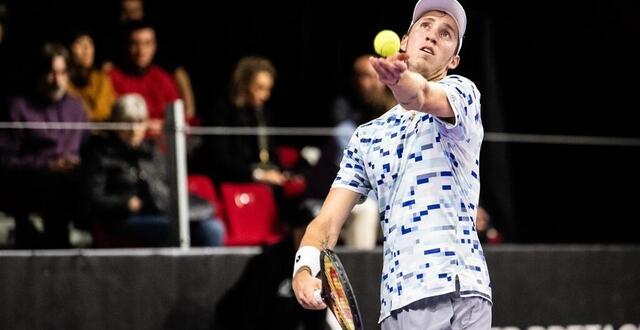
column 431, row 44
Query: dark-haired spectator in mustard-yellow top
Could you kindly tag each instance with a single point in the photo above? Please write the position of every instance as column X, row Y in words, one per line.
column 92, row 85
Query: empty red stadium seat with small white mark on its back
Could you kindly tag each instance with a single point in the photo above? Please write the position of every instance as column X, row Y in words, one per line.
column 252, row 217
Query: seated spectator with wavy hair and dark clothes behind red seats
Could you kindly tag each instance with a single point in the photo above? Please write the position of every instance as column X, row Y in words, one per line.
column 249, row 158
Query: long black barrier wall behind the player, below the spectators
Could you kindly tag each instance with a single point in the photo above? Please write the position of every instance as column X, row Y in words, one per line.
column 535, row 287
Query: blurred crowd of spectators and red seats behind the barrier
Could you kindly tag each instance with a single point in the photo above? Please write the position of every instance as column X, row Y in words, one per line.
column 111, row 185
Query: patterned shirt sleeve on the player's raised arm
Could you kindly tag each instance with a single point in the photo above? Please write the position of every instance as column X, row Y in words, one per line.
column 464, row 98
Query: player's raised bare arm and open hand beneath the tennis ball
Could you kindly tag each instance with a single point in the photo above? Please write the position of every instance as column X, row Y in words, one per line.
column 412, row 90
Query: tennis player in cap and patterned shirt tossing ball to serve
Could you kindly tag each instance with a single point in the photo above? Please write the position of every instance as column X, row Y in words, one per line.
column 421, row 158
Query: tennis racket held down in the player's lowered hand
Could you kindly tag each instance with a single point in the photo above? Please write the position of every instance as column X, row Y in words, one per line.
column 337, row 292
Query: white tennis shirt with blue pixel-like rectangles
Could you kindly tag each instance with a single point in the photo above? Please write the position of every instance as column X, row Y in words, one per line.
column 425, row 174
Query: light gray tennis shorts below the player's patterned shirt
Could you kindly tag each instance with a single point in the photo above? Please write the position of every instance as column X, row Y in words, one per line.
column 449, row 311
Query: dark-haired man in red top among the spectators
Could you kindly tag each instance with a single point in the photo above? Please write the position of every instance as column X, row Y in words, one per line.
column 136, row 73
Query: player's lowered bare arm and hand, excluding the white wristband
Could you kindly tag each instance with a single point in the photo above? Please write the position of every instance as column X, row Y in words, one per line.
column 322, row 233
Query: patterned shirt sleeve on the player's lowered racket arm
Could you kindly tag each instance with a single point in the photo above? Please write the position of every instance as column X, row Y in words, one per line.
column 352, row 174
